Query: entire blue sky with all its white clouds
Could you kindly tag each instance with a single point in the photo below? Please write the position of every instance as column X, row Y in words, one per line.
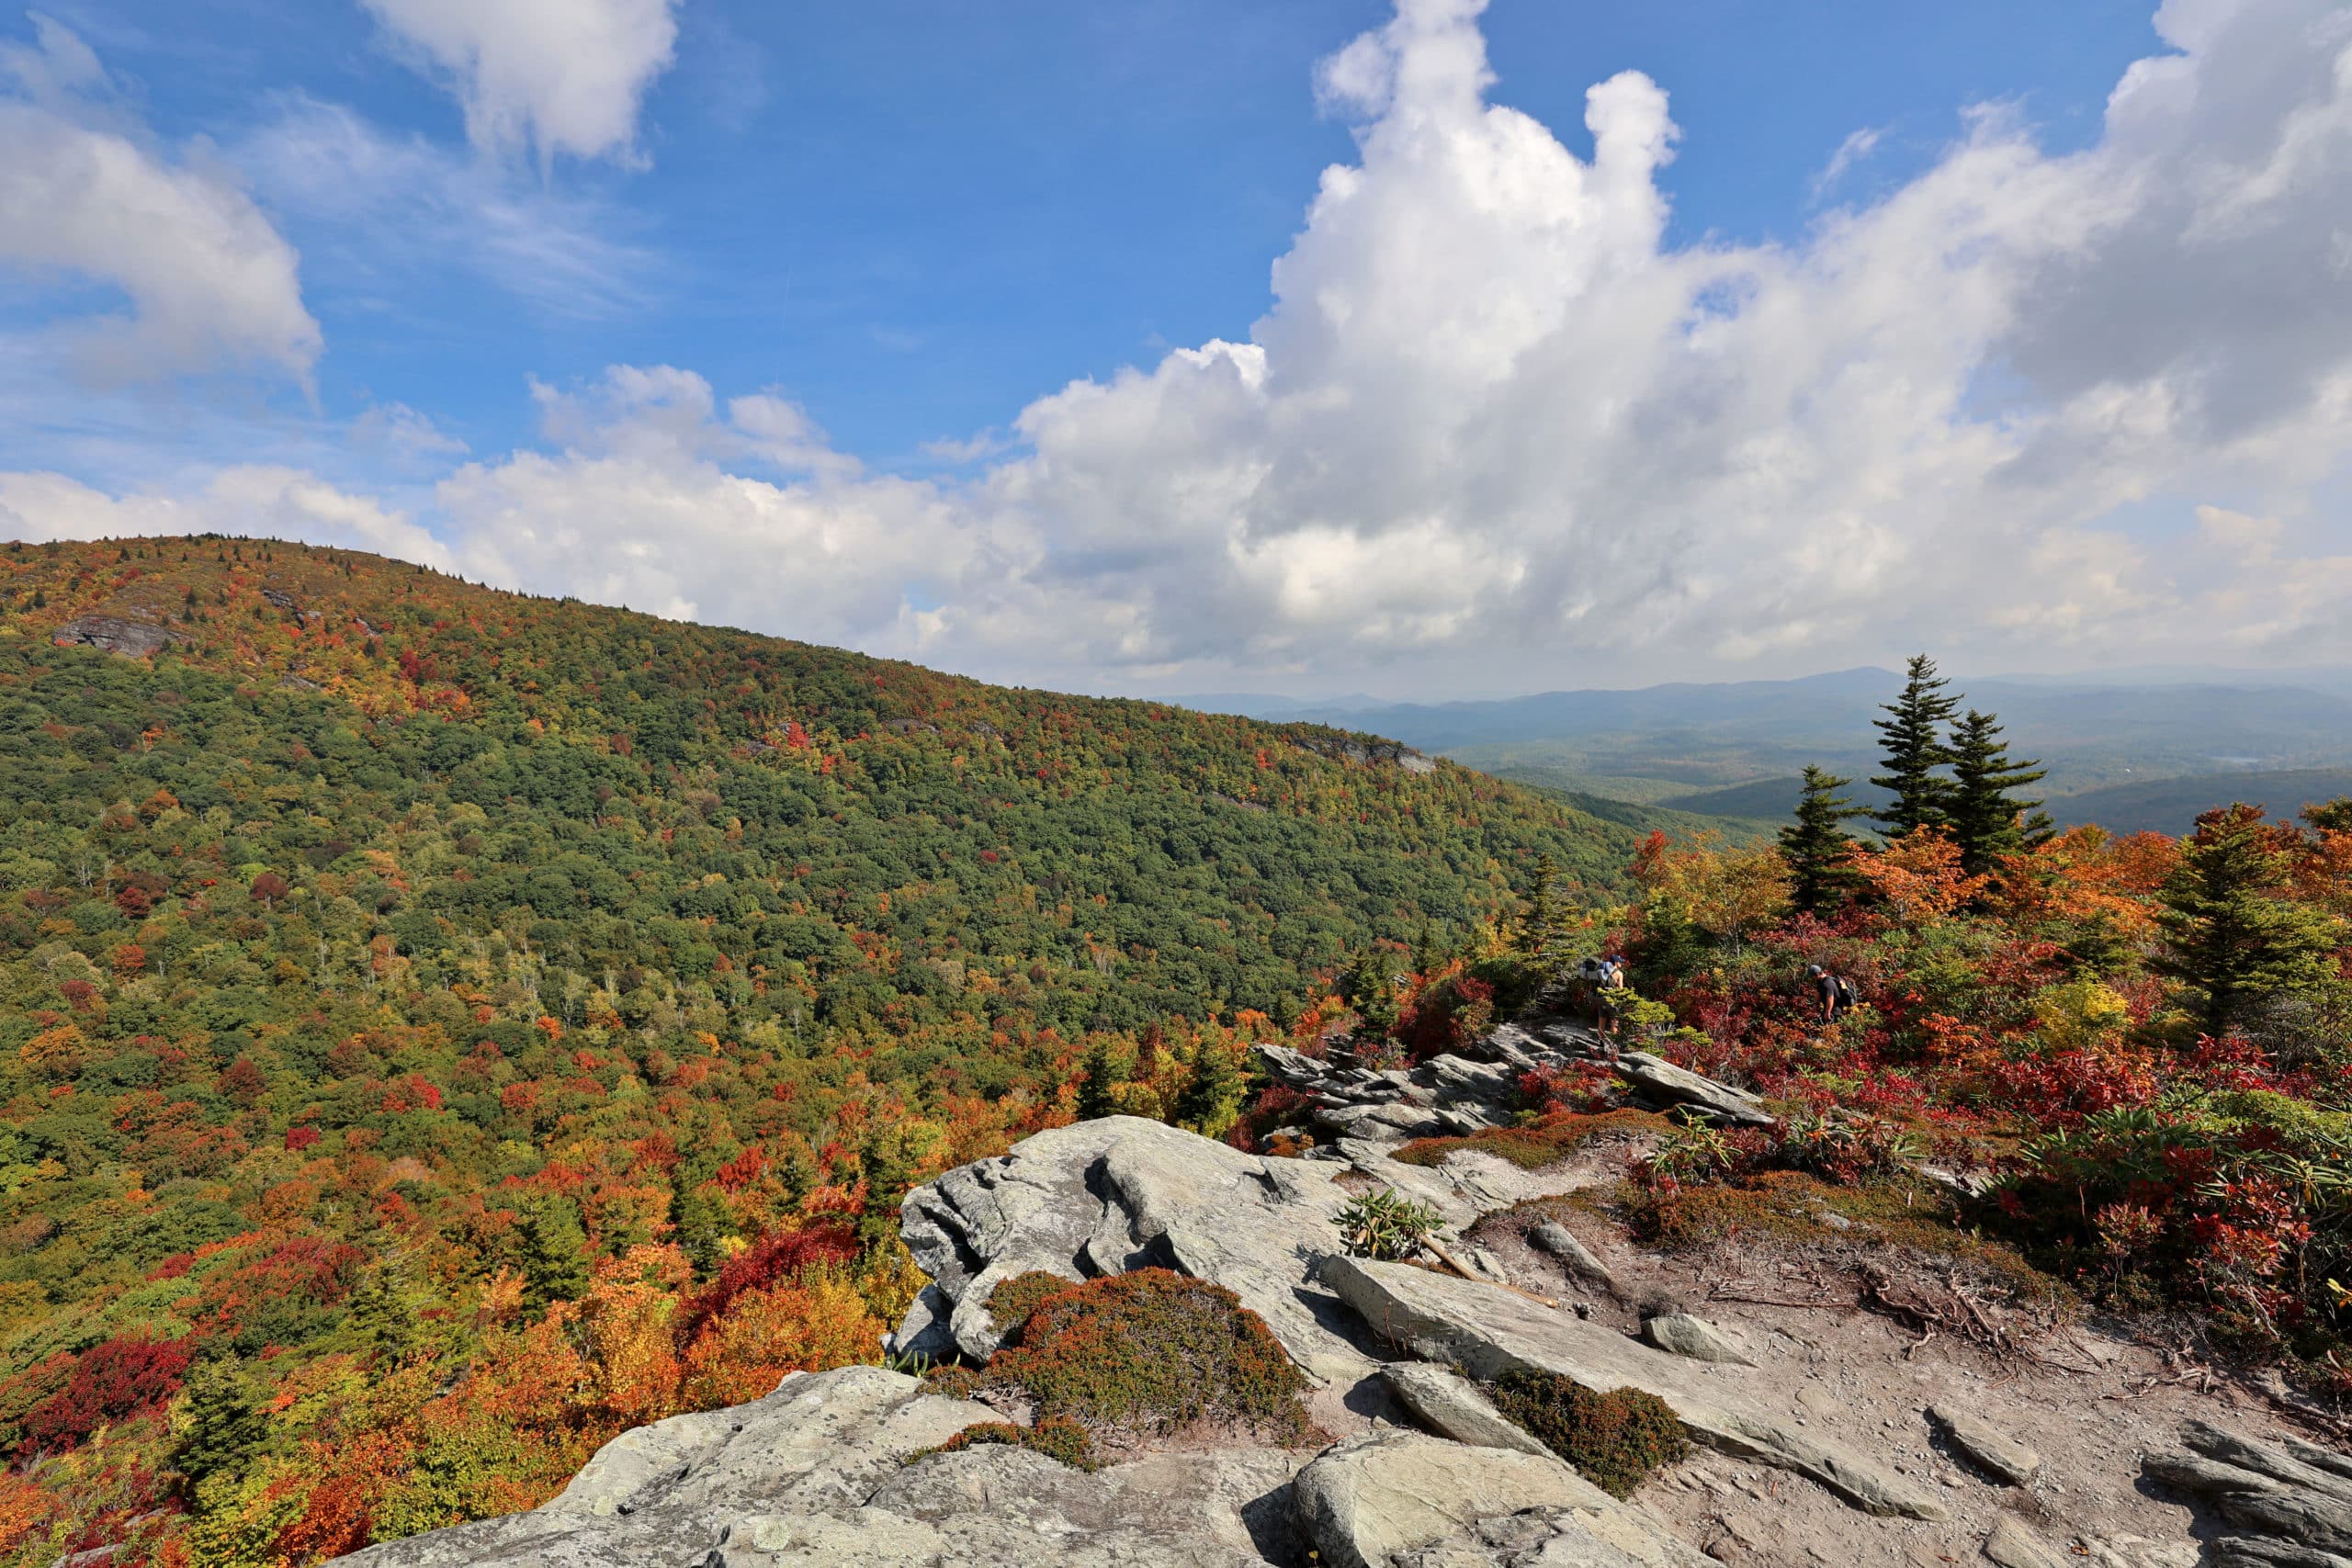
column 483, row 279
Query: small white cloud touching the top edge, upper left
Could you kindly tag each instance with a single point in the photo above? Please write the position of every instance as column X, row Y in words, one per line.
column 549, row 76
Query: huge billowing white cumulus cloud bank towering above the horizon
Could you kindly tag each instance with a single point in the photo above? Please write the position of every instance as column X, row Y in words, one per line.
column 1497, row 429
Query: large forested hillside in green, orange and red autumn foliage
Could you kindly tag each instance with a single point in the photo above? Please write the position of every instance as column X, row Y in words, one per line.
column 441, row 1028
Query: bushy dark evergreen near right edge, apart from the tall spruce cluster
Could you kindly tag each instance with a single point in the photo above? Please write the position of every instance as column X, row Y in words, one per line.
column 2231, row 939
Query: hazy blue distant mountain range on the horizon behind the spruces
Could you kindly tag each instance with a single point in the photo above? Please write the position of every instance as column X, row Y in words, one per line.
column 2134, row 749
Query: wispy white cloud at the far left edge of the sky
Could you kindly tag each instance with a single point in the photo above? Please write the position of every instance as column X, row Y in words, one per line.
column 88, row 196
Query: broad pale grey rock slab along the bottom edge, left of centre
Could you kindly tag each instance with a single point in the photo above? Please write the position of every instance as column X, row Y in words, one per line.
column 817, row 1475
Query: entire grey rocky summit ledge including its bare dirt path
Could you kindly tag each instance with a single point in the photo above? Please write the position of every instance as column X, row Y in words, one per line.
column 1831, row 1416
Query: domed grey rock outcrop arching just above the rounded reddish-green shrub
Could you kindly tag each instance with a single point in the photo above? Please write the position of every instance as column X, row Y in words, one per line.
column 1116, row 1195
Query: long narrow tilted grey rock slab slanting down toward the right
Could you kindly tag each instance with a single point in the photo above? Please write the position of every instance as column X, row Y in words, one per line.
column 1492, row 1332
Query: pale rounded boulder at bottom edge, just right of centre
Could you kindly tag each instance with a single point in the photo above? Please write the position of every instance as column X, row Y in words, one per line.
column 1408, row 1501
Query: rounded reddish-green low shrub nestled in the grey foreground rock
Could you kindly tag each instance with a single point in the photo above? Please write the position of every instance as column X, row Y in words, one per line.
column 1154, row 1351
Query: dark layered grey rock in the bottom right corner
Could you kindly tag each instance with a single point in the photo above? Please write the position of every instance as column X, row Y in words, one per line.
column 2294, row 1501
